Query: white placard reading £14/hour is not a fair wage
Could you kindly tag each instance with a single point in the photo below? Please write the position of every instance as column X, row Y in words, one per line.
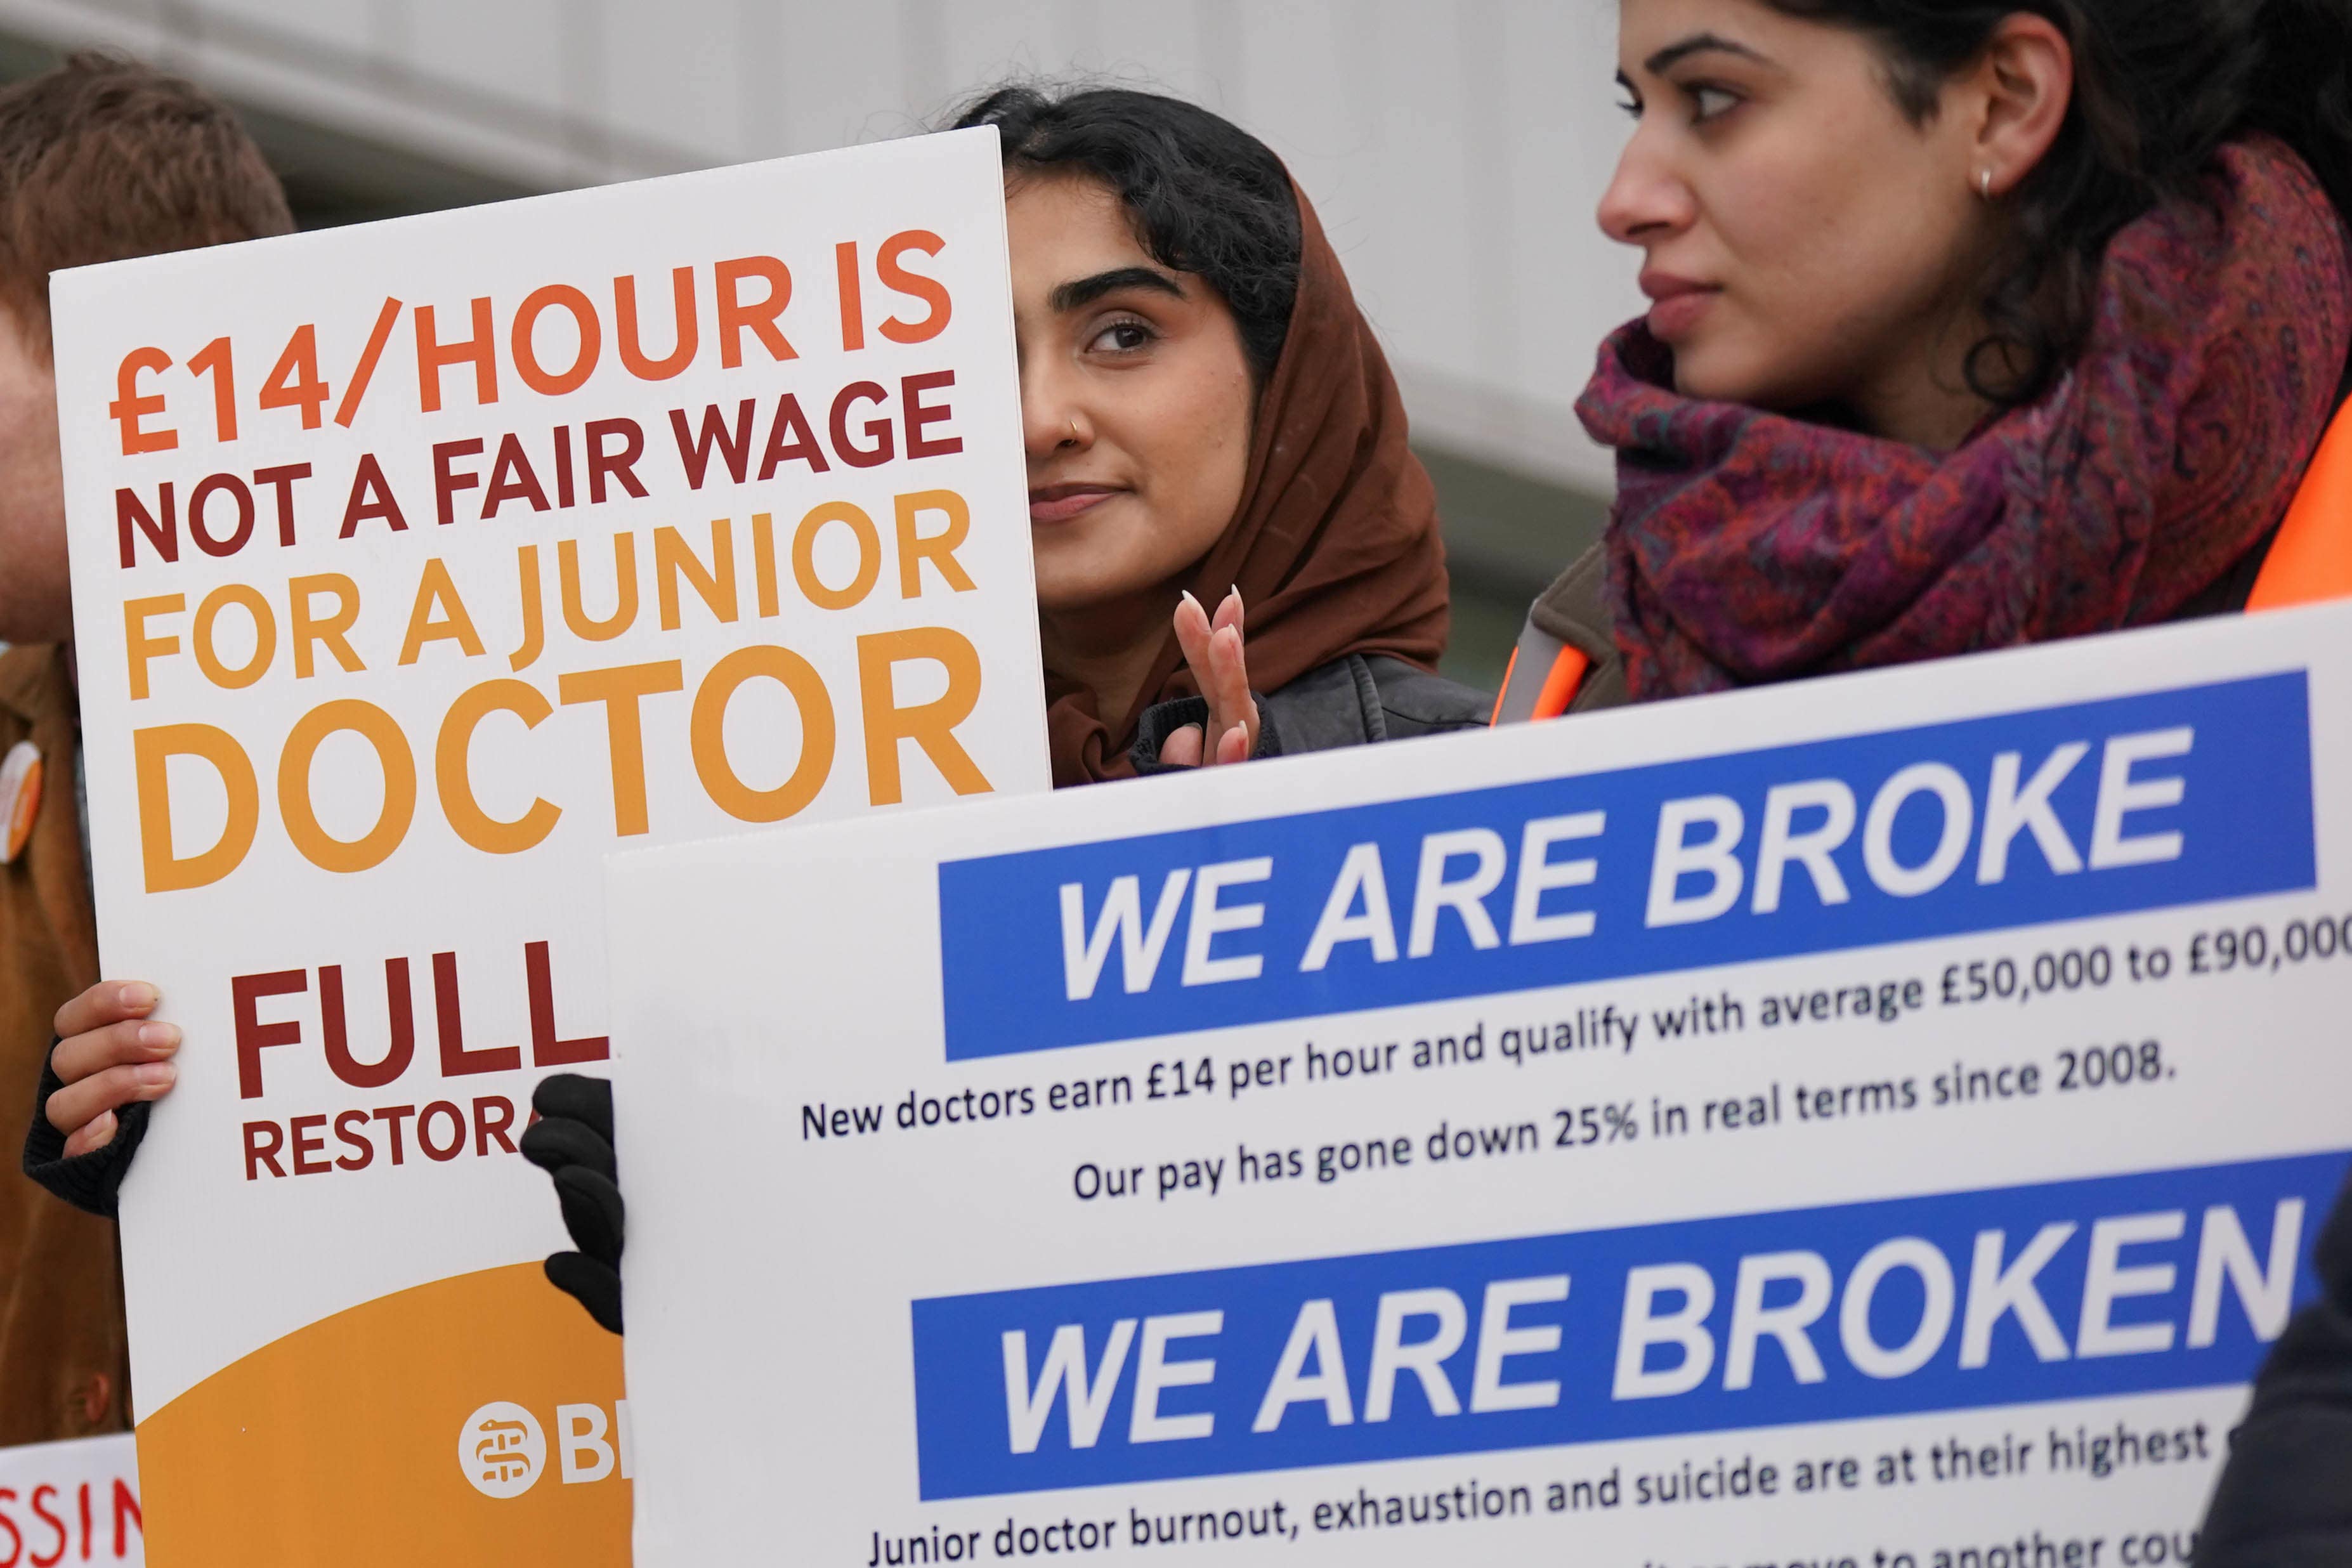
column 415, row 568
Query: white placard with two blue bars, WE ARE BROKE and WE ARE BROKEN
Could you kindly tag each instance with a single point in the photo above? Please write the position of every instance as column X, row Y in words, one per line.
column 1876, row 1120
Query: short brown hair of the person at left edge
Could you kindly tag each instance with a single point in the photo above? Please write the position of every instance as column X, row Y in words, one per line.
column 105, row 159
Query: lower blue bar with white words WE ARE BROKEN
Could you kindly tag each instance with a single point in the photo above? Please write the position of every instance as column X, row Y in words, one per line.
column 1963, row 1301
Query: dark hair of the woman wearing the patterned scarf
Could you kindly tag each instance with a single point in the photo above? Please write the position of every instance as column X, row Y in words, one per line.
column 2160, row 86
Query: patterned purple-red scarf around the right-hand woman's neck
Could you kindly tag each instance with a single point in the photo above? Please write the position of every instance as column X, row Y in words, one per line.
column 1753, row 547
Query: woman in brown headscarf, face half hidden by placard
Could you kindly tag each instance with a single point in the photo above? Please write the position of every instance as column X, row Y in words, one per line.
column 1210, row 422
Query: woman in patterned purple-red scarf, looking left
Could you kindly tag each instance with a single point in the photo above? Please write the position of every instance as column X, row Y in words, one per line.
column 1975, row 326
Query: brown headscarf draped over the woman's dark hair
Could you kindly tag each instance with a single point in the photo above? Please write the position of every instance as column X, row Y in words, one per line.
column 1335, row 544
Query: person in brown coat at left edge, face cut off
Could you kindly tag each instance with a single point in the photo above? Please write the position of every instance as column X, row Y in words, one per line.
column 98, row 161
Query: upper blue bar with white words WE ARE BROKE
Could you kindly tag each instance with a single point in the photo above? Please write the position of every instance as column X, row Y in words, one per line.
column 2137, row 803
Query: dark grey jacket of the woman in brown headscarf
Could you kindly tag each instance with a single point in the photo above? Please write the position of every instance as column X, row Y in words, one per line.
column 1349, row 702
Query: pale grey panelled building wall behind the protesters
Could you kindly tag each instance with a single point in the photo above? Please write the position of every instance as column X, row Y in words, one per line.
column 1455, row 152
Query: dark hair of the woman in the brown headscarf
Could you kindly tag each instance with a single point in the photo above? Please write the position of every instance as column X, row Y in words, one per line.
column 1208, row 196
